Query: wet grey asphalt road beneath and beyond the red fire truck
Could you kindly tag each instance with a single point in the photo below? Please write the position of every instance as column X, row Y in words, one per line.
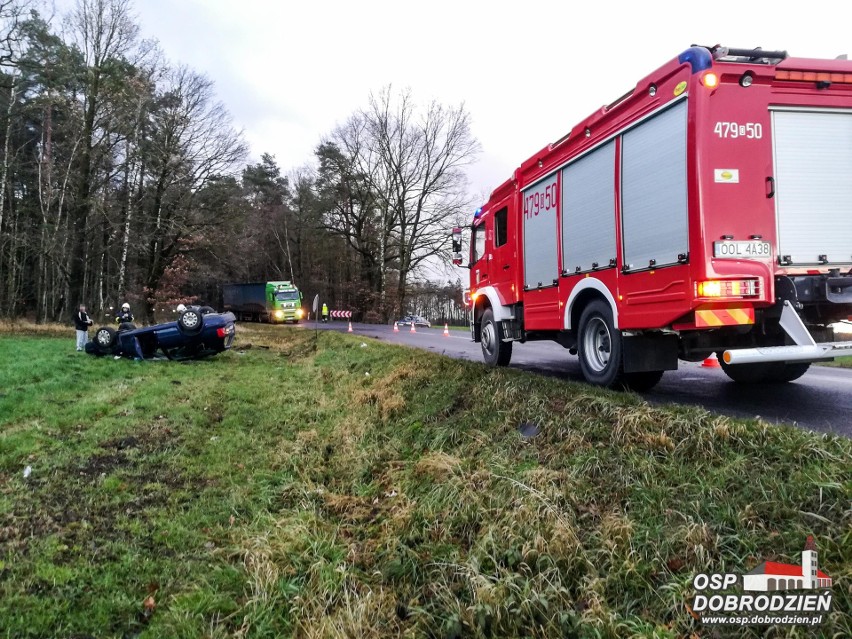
column 821, row 400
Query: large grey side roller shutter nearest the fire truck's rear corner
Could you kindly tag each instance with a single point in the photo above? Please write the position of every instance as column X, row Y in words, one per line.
column 654, row 191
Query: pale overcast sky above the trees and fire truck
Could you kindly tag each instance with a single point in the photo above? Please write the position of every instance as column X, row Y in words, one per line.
column 527, row 71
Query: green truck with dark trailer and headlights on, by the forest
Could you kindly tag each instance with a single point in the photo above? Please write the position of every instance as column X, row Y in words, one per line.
column 274, row 302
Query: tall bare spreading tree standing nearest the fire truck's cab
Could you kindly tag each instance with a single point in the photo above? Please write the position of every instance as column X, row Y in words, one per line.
column 413, row 161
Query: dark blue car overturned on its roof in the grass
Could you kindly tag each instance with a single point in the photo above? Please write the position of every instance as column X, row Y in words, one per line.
column 198, row 332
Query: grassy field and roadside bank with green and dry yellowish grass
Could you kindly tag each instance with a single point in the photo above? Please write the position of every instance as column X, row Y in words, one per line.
column 363, row 489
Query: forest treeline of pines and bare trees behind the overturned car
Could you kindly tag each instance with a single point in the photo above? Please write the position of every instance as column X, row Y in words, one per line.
column 124, row 178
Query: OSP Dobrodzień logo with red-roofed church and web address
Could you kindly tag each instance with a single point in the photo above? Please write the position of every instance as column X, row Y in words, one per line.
column 771, row 594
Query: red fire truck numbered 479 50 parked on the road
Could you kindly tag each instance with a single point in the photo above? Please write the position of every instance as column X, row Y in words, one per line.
column 708, row 210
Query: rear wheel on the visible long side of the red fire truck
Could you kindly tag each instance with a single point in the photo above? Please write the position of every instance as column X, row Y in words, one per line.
column 599, row 347
